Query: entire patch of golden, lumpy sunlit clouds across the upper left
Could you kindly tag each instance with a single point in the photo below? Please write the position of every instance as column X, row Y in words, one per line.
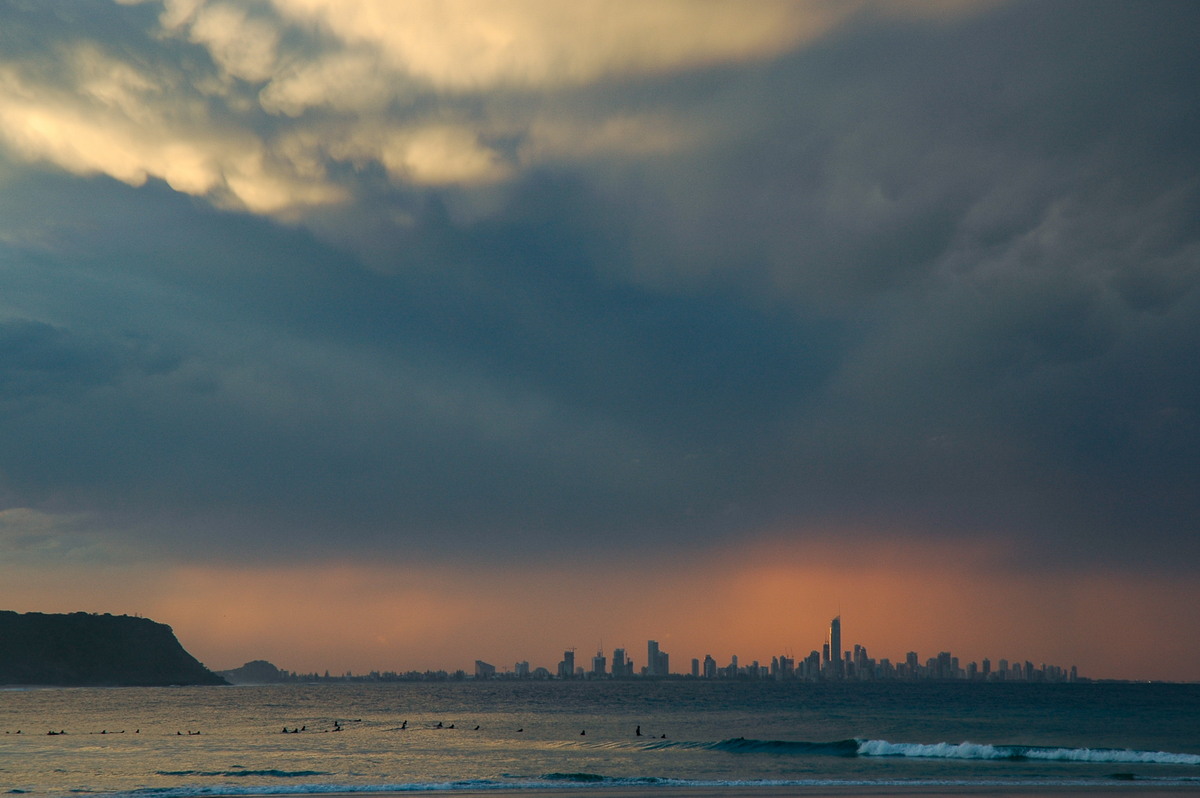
column 368, row 83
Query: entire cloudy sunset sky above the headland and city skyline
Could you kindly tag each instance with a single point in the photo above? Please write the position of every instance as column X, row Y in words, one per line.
column 364, row 335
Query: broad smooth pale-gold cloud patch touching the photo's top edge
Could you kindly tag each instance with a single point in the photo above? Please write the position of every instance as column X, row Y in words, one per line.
column 471, row 45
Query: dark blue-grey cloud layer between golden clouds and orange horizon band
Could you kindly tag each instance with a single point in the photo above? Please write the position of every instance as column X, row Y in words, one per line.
column 940, row 279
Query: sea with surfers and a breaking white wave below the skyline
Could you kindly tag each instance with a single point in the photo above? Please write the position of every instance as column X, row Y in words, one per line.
column 355, row 737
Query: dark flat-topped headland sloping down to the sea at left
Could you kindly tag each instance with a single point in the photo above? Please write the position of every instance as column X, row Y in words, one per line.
column 86, row 650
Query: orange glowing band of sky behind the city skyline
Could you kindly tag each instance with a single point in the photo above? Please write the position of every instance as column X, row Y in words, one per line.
column 757, row 602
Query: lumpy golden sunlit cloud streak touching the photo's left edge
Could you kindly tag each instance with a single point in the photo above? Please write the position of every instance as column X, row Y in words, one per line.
column 109, row 117
